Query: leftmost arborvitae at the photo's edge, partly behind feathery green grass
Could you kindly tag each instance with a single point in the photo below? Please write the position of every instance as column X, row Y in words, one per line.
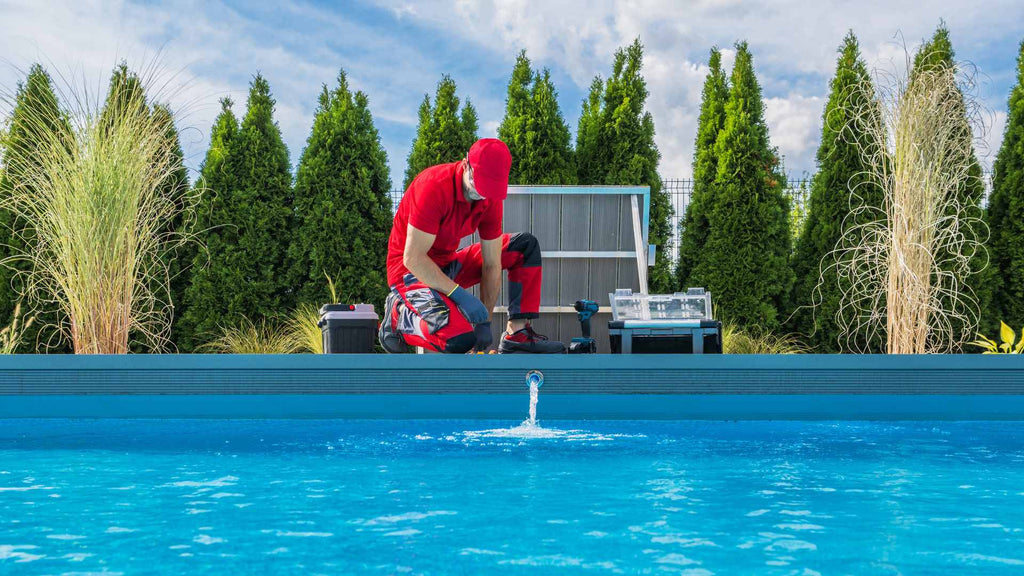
column 36, row 108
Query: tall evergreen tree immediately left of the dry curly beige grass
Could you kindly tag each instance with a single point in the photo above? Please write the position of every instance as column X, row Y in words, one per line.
column 841, row 171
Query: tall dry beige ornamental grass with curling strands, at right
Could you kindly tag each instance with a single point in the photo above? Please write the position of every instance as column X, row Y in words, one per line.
column 905, row 268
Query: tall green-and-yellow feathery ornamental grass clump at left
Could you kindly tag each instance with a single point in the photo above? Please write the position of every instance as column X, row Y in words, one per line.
column 94, row 197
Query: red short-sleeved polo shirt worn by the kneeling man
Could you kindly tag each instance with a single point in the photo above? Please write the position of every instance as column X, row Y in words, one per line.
column 436, row 204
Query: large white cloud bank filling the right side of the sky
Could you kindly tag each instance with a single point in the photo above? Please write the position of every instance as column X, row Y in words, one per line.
column 794, row 45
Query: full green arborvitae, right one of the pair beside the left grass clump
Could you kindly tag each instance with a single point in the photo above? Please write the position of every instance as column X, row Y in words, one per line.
column 251, row 221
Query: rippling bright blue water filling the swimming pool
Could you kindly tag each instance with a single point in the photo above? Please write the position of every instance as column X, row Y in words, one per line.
column 449, row 498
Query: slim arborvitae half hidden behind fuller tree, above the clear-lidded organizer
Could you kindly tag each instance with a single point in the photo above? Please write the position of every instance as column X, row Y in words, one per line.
column 694, row 231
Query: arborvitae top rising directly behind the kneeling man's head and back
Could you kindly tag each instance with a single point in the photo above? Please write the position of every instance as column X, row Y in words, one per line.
column 445, row 135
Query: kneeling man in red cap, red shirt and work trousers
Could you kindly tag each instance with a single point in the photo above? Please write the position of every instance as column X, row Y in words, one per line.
column 430, row 306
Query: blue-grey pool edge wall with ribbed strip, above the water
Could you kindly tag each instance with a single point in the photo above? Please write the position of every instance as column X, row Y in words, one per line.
column 600, row 387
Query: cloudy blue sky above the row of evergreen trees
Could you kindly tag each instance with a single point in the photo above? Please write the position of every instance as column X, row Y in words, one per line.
column 198, row 53
